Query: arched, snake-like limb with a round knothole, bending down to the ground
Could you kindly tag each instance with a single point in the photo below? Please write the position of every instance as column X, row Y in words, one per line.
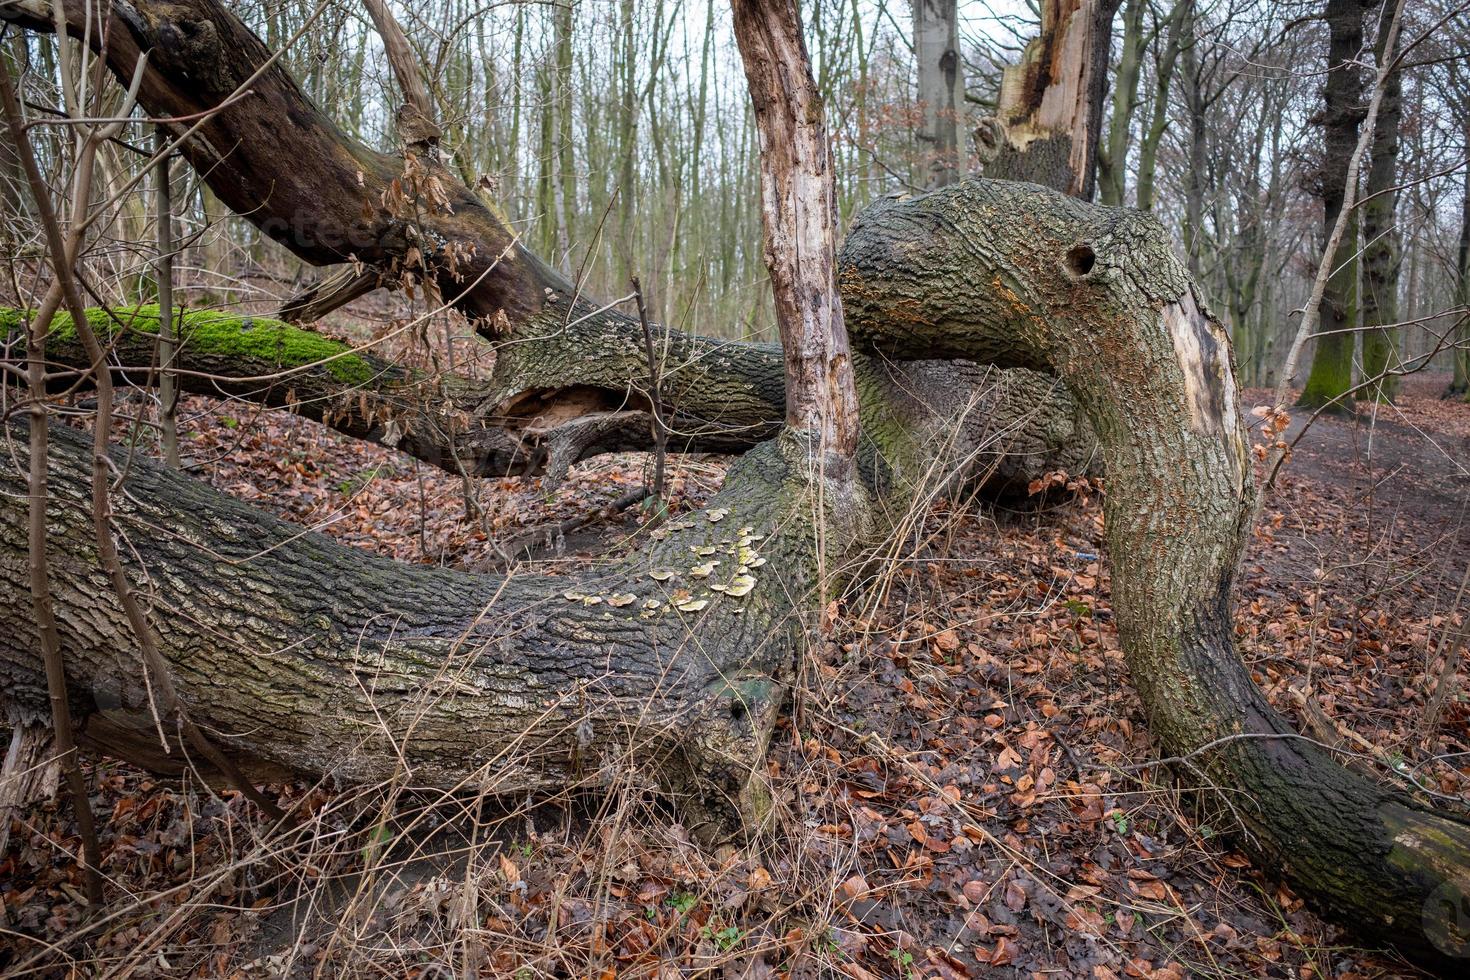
column 1019, row 275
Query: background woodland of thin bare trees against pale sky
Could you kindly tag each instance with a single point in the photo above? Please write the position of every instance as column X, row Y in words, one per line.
column 620, row 139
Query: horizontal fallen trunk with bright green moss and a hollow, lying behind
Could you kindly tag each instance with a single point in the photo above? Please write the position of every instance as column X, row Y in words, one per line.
column 580, row 393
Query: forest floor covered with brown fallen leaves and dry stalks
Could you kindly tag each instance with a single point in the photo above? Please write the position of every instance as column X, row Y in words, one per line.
column 964, row 782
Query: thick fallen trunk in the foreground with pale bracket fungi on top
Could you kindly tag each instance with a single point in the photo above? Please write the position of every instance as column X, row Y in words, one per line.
column 318, row 659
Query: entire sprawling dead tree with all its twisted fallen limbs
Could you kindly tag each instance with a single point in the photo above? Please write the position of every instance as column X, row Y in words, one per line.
column 302, row 656
